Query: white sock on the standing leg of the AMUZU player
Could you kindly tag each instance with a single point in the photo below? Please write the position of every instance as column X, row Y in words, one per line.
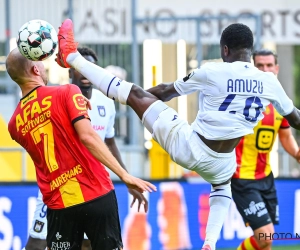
column 219, row 202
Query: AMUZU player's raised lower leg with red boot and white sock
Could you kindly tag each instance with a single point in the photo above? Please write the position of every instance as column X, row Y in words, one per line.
column 115, row 88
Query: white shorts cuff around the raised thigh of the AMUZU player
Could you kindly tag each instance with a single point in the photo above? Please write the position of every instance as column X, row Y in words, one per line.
column 152, row 113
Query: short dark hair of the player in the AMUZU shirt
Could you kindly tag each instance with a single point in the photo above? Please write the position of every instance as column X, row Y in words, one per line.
column 237, row 36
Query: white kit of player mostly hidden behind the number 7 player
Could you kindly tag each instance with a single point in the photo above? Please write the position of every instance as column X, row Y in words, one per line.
column 102, row 120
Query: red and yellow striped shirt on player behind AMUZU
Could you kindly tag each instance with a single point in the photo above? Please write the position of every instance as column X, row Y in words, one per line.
column 253, row 151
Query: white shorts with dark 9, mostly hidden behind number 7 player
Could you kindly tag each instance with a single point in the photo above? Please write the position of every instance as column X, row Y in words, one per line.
column 39, row 225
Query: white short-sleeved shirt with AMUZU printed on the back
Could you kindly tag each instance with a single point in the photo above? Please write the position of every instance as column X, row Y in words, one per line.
column 232, row 98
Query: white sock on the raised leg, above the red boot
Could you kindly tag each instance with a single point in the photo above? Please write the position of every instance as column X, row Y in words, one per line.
column 108, row 84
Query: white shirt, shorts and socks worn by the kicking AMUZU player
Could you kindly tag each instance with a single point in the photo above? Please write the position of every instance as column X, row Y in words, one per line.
column 231, row 101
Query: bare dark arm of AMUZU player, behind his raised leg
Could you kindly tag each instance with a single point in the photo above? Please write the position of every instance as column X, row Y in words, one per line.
column 164, row 91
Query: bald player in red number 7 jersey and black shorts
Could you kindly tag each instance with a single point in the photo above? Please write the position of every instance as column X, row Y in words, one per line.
column 51, row 124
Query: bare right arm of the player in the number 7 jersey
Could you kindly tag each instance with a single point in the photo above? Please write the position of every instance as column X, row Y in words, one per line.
column 100, row 151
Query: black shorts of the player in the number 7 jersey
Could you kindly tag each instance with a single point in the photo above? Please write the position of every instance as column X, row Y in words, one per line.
column 98, row 218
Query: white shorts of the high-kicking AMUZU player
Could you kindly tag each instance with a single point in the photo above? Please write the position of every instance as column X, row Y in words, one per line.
column 186, row 148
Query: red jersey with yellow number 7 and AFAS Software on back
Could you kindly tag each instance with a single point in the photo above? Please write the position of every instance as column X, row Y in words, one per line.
column 67, row 173
